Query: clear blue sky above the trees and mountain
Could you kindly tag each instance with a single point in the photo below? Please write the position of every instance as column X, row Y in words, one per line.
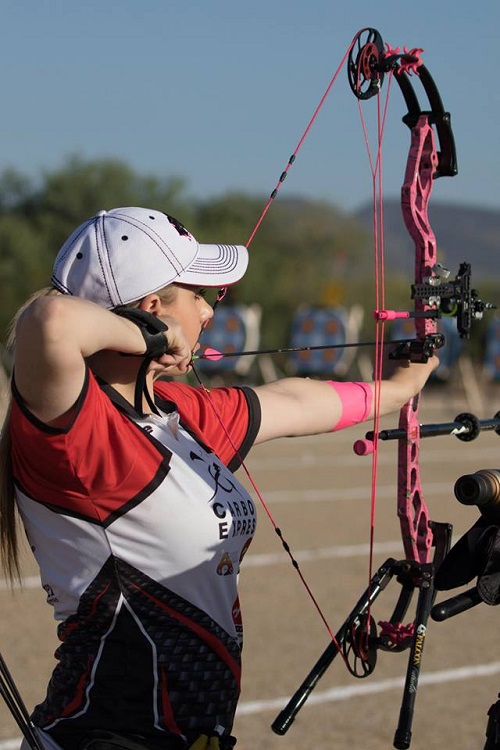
column 219, row 92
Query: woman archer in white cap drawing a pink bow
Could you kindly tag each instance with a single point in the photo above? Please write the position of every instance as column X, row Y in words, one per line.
column 124, row 482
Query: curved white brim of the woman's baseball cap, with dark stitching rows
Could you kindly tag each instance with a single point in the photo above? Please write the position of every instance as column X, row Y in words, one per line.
column 216, row 265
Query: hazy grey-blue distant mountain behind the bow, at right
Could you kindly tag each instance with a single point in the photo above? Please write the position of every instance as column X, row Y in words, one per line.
column 463, row 234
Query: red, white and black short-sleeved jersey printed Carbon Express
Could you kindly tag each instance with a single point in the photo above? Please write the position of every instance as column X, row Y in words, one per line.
column 139, row 527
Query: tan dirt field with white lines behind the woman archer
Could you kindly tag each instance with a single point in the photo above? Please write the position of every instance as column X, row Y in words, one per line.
column 319, row 494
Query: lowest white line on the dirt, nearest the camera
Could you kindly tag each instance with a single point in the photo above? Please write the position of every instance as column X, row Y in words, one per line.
column 345, row 692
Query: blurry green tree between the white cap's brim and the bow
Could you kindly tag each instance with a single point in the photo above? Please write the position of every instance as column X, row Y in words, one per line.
column 304, row 252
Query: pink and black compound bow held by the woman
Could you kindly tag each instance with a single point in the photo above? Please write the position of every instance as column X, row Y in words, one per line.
column 359, row 638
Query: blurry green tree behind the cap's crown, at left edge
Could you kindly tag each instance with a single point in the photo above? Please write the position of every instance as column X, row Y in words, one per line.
column 36, row 217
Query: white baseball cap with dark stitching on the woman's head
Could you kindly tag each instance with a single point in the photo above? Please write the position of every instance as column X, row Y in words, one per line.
column 120, row 256
